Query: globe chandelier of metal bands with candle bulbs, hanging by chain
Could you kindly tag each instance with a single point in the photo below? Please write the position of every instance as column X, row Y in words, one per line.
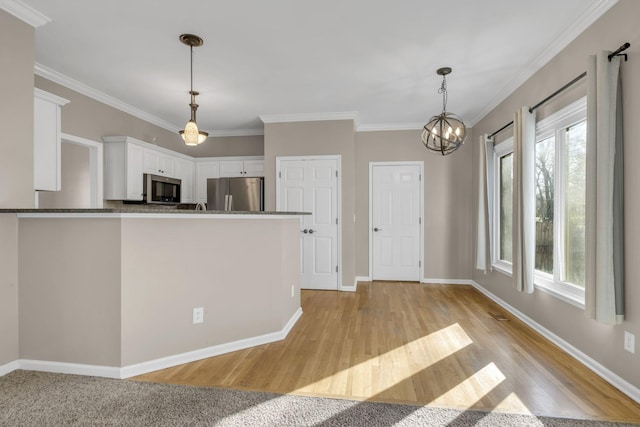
column 446, row 132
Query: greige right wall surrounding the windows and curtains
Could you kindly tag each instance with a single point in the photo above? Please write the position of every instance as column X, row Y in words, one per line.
column 602, row 343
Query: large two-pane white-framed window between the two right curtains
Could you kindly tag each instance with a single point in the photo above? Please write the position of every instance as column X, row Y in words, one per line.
column 560, row 187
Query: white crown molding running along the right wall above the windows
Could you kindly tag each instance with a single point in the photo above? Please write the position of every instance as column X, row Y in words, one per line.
column 587, row 17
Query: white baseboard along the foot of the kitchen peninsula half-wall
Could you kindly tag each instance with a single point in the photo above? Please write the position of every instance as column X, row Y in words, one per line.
column 152, row 365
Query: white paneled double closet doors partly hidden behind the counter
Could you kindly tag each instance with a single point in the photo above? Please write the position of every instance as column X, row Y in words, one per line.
column 311, row 185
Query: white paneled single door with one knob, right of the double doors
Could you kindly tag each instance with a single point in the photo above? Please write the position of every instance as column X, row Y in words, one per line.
column 395, row 221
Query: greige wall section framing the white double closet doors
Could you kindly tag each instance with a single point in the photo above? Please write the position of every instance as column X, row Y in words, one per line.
column 331, row 137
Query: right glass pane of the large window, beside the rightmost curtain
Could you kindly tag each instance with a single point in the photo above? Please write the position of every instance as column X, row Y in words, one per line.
column 575, row 194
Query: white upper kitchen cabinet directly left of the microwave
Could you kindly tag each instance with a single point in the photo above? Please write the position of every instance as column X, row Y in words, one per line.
column 123, row 169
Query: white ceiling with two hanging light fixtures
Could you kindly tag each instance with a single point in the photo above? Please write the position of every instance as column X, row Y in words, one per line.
column 376, row 58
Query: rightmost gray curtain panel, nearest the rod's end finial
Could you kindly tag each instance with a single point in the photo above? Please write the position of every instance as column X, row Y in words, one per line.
column 604, row 293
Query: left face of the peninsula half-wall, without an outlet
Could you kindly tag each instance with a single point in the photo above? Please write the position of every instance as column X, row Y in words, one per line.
column 70, row 303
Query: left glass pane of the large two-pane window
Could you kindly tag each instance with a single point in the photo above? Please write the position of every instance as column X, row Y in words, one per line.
column 545, row 154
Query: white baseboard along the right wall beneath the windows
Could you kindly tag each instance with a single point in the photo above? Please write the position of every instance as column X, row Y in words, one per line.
column 612, row 378
